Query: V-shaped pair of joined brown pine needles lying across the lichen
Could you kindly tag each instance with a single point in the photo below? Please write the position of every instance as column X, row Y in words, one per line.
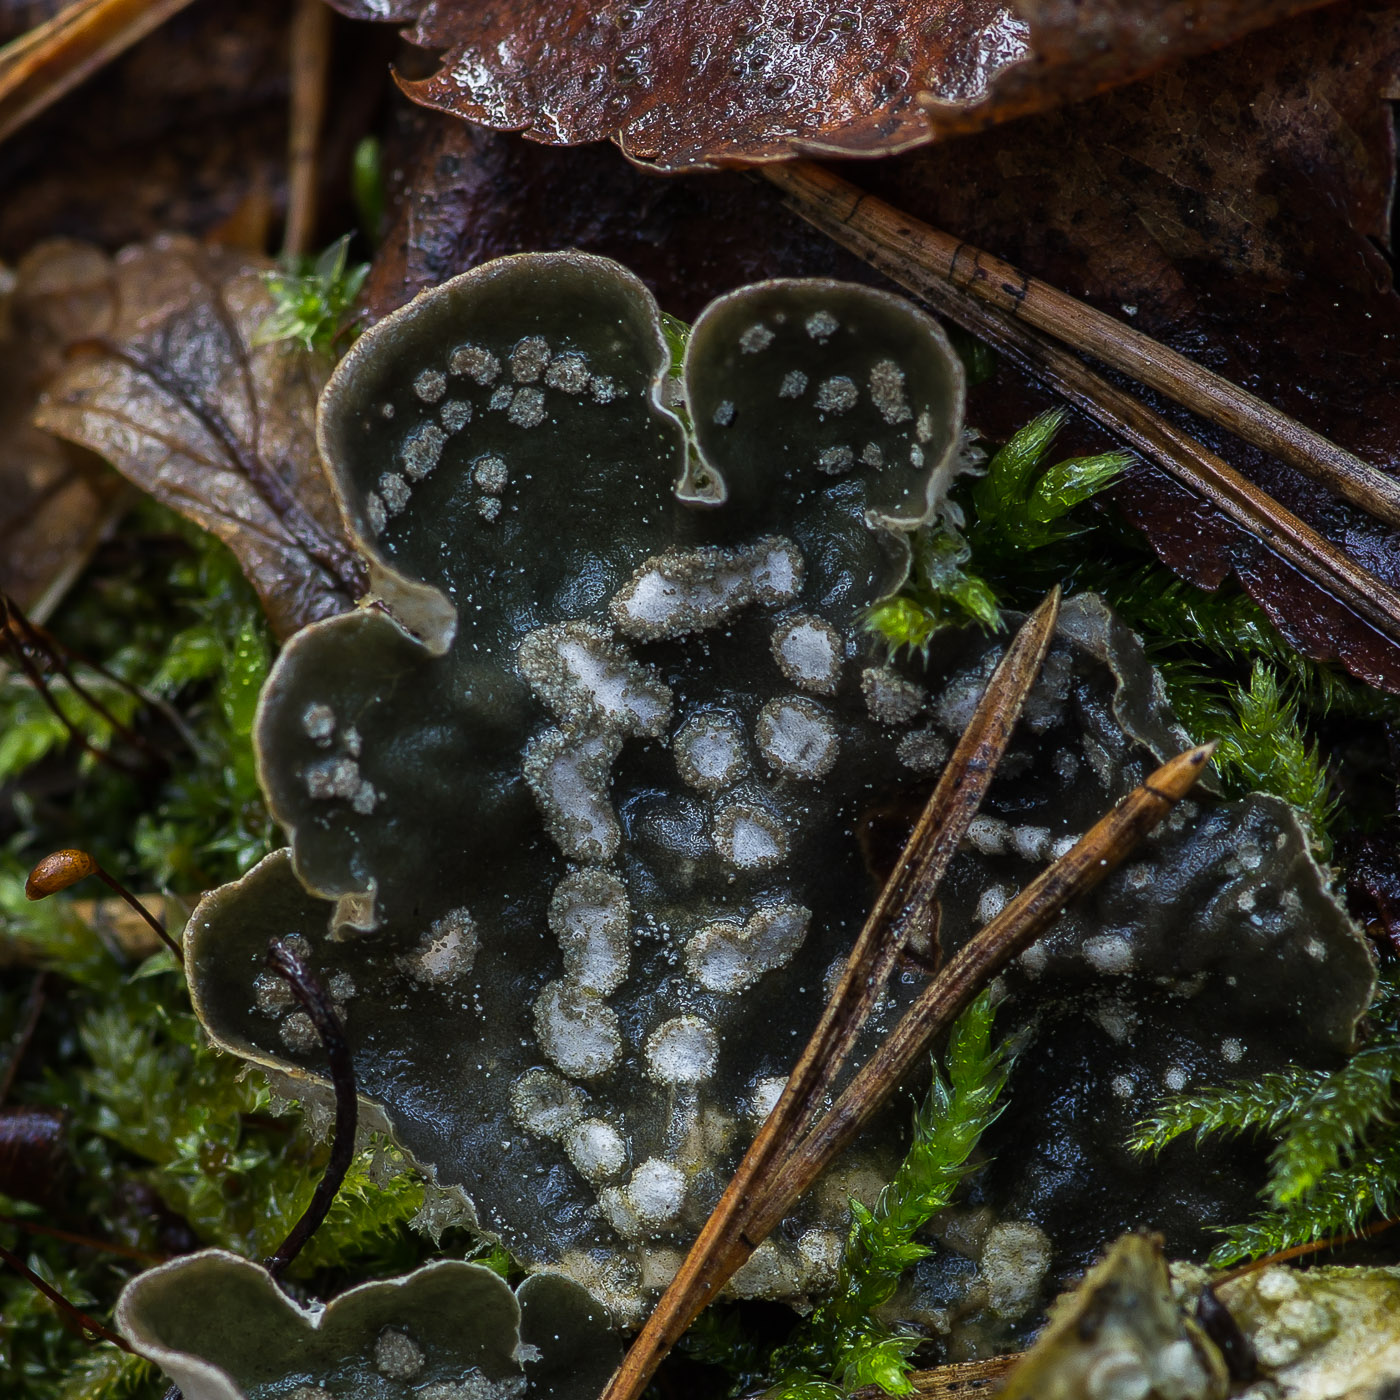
column 790, row 1151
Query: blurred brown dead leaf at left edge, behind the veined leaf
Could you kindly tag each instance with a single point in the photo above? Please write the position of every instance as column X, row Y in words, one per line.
column 55, row 498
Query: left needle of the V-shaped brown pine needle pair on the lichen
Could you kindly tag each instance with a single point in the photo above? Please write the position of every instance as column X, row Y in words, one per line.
column 902, row 905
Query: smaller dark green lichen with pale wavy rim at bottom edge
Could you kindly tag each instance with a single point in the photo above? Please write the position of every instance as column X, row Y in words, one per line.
column 451, row 1331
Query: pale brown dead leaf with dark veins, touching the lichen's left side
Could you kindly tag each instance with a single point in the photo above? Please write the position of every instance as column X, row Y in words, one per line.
column 171, row 390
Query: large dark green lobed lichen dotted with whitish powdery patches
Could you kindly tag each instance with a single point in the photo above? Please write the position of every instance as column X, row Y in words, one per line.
column 579, row 845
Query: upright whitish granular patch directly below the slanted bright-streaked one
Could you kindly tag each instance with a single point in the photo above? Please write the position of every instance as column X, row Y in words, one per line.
column 569, row 779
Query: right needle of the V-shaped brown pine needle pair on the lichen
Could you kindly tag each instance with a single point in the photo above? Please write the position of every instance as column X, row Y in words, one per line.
column 762, row 1207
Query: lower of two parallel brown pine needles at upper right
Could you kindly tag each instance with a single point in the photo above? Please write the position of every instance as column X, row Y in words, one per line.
column 897, row 244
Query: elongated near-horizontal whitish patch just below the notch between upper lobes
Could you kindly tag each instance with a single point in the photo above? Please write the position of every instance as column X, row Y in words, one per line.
column 689, row 590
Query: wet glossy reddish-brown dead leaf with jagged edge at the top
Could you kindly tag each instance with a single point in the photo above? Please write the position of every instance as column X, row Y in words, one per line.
column 685, row 85
